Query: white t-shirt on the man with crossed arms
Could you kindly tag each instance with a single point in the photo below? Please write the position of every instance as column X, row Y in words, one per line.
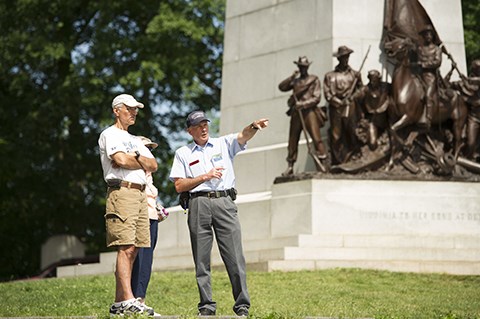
column 113, row 140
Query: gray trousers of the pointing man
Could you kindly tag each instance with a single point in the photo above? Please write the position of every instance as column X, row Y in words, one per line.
column 219, row 215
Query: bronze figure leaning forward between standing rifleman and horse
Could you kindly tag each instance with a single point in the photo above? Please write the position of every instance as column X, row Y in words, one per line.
column 374, row 99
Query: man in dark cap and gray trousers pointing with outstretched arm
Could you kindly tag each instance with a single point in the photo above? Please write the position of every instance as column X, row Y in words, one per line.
column 203, row 170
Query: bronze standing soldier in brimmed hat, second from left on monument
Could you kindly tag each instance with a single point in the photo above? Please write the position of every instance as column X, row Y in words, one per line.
column 339, row 86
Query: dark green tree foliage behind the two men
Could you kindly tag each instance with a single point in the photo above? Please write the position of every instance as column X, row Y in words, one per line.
column 62, row 64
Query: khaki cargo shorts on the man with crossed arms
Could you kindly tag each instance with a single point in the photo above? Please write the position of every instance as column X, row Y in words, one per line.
column 126, row 218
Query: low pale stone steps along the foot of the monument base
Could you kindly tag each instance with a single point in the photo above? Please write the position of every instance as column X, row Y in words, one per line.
column 460, row 254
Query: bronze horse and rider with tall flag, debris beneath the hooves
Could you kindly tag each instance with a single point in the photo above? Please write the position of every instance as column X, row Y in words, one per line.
column 413, row 45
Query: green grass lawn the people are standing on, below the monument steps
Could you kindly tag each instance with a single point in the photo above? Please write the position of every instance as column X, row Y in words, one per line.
column 336, row 293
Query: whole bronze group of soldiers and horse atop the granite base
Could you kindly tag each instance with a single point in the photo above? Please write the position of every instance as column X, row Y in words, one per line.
column 420, row 121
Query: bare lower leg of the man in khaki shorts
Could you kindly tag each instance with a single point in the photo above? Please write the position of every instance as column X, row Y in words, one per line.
column 123, row 273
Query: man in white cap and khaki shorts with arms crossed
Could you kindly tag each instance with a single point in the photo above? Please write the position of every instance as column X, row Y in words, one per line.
column 124, row 161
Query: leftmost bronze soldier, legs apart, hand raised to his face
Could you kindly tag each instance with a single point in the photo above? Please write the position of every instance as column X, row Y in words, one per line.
column 304, row 113
